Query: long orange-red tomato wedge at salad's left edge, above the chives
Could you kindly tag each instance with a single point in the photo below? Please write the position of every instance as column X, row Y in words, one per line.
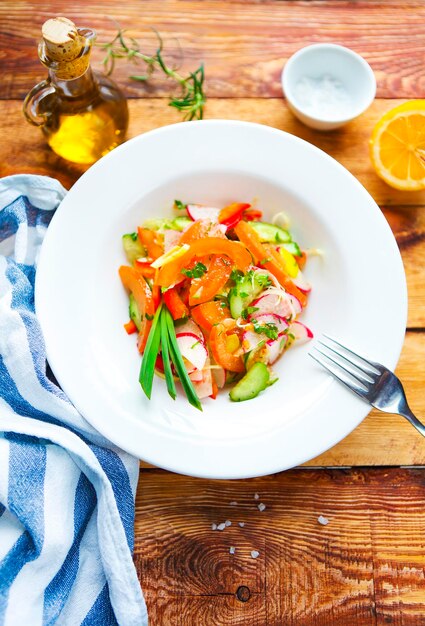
column 134, row 282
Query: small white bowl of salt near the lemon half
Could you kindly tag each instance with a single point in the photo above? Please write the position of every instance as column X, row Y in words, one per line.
column 327, row 85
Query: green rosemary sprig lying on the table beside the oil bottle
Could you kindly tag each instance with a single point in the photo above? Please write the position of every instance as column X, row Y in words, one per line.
column 190, row 101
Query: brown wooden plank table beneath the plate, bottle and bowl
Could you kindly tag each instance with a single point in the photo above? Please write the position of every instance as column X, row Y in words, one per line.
column 366, row 567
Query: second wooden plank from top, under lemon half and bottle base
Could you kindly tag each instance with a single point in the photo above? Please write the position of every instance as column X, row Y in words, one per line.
column 24, row 149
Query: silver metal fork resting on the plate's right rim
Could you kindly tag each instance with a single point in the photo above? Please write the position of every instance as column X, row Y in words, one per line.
column 372, row 381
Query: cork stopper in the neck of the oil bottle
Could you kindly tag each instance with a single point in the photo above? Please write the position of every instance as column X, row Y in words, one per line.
column 64, row 48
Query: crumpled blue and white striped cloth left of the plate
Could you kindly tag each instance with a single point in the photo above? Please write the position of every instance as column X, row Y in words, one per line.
column 66, row 493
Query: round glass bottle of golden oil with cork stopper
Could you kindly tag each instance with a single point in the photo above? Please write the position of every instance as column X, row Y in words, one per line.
column 82, row 113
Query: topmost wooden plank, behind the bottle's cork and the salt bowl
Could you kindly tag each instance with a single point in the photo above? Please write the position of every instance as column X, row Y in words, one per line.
column 244, row 45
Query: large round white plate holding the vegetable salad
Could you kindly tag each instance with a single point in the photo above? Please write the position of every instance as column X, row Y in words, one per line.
column 359, row 295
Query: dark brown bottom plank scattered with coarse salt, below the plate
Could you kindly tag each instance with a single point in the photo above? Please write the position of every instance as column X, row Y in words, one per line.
column 365, row 568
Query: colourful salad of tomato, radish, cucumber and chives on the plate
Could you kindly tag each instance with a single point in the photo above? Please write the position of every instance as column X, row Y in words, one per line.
column 215, row 296
